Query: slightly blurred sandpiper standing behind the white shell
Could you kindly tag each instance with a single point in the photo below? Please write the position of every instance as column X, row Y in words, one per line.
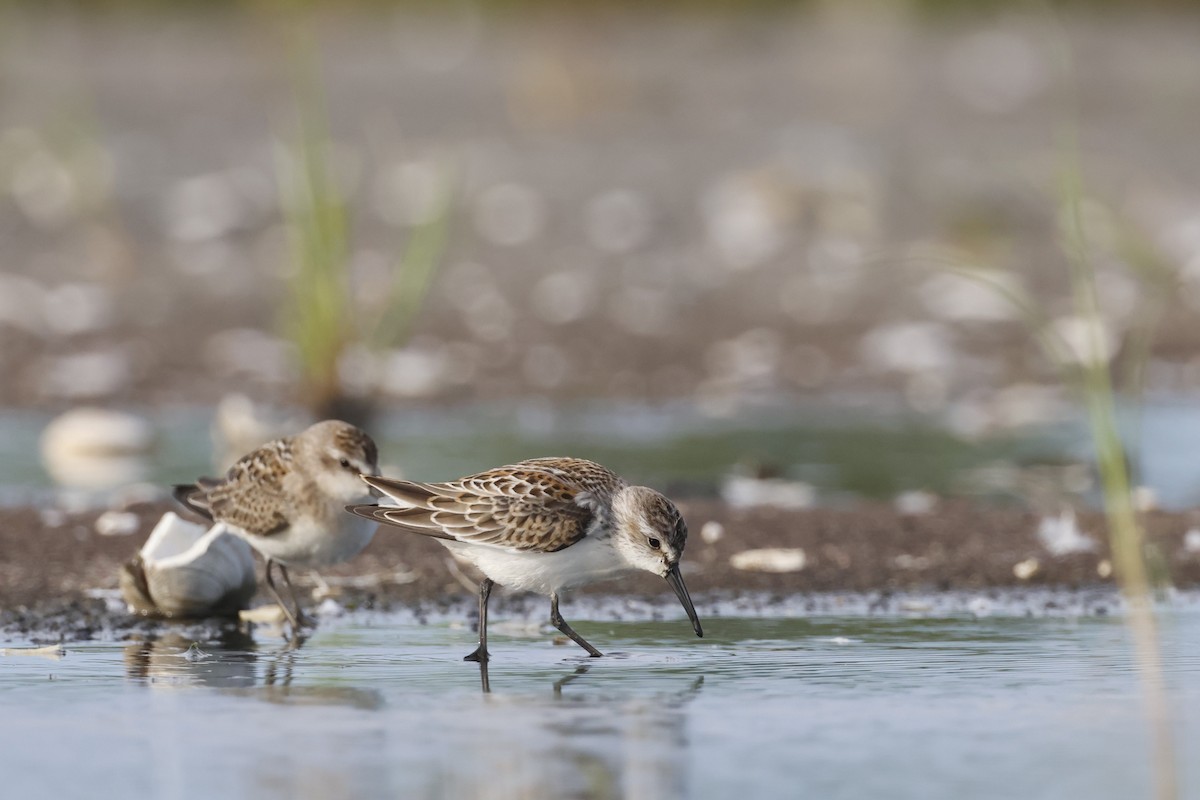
column 287, row 500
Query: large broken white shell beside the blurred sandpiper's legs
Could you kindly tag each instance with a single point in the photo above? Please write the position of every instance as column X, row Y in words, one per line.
column 185, row 572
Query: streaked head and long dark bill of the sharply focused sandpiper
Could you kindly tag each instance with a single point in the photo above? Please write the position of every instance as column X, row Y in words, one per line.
column 651, row 536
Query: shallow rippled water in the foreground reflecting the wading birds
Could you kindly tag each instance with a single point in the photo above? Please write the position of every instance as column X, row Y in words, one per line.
column 829, row 707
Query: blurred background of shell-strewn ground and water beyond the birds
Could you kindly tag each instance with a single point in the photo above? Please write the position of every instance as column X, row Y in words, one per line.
column 706, row 243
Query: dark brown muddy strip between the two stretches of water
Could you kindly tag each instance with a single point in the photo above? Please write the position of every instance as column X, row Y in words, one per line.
column 59, row 582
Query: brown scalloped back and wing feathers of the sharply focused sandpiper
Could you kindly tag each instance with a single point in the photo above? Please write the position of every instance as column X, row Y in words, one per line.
column 537, row 506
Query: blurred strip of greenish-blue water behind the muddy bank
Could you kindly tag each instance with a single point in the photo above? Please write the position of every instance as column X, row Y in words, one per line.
column 860, row 448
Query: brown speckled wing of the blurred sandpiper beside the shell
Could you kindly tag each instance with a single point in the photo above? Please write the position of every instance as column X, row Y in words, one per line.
column 251, row 495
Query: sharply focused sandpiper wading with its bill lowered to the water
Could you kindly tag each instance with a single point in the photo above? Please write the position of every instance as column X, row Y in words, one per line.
column 543, row 526
